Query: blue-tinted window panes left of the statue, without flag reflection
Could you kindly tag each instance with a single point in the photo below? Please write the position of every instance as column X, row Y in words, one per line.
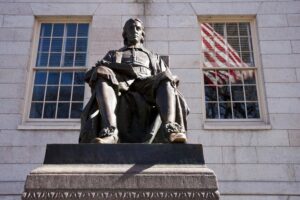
column 58, row 87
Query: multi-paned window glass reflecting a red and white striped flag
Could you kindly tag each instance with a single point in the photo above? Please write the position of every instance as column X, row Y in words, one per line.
column 230, row 71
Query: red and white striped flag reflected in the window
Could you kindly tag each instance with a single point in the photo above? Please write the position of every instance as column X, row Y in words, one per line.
column 218, row 53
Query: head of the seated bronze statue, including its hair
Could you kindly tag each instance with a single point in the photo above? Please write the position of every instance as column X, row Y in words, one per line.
column 133, row 32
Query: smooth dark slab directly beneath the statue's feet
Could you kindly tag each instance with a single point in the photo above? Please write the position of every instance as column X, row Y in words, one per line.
column 124, row 154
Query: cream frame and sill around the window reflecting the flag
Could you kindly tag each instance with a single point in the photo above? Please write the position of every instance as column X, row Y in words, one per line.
column 237, row 124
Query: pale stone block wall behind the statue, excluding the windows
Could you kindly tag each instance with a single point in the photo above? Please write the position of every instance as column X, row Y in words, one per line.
column 250, row 164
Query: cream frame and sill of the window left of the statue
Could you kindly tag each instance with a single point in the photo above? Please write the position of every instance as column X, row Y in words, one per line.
column 50, row 124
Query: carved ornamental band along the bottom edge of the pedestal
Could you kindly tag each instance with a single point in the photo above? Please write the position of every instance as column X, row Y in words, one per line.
column 123, row 195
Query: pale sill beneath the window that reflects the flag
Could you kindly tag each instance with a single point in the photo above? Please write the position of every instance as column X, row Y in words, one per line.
column 236, row 126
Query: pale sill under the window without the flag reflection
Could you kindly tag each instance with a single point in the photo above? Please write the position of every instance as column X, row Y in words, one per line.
column 50, row 126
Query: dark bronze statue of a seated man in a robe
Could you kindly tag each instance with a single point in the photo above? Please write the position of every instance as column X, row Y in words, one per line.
column 131, row 86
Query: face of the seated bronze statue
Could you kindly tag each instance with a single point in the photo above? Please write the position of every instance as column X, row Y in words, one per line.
column 134, row 32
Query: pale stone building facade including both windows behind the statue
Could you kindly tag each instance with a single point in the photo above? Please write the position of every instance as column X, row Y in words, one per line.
column 238, row 62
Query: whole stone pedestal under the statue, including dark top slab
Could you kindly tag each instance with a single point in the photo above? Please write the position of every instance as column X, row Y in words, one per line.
column 122, row 171
